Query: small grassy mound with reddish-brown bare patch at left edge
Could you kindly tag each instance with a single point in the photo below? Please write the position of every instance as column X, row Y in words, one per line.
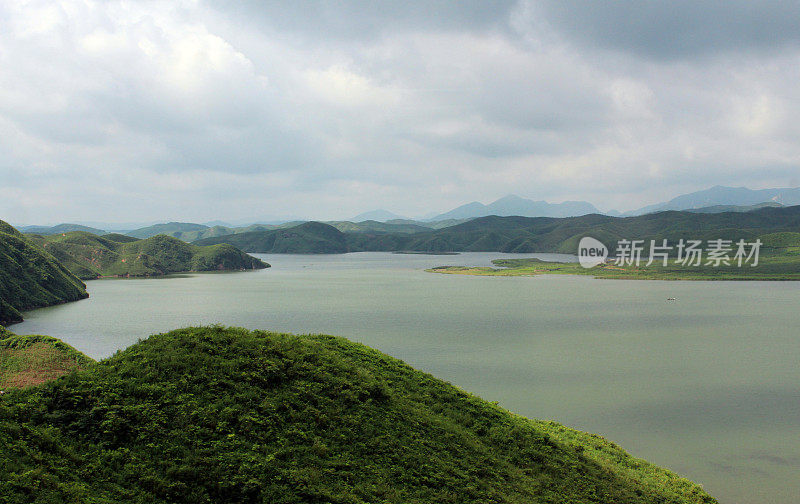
column 30, row 360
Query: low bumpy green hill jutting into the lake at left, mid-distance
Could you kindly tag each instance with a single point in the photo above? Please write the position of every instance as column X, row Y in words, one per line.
column 89, row 256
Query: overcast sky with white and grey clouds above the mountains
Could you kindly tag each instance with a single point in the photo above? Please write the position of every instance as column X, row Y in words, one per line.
column 123, row 111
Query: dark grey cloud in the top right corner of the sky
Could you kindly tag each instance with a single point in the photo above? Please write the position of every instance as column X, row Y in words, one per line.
column 675, row 29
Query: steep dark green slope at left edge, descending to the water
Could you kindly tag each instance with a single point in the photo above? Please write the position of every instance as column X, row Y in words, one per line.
column 31, row 278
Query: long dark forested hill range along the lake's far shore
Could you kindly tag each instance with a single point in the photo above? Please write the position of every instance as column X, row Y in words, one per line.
column 522, row 234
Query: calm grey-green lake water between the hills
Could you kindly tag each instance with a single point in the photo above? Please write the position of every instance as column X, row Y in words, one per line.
column 708, row 385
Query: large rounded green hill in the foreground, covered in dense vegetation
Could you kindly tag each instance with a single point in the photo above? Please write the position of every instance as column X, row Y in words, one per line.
column 228, row 415
